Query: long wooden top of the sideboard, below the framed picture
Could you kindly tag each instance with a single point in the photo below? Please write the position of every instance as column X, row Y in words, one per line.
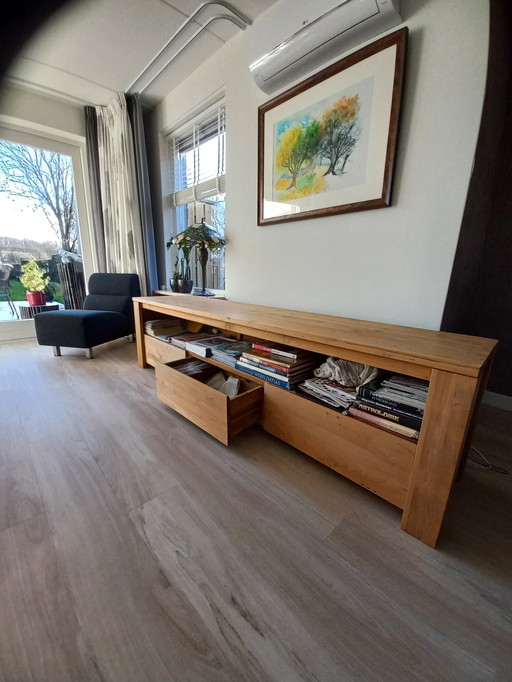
column 441, row 350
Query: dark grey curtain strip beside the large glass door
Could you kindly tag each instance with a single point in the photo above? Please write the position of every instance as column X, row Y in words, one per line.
column 93, row 165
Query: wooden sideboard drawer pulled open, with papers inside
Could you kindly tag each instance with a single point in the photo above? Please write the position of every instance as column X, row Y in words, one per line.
column 216, row 413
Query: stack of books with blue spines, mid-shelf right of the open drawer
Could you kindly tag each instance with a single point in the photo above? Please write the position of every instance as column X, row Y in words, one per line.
column 280, row 365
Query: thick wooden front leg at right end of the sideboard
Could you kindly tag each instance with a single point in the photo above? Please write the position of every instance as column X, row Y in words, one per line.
column 450, row 405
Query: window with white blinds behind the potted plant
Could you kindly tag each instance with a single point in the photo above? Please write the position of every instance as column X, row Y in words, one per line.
column 198, row 150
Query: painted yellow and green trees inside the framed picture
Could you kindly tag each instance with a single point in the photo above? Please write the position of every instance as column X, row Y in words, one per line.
column 316, row 144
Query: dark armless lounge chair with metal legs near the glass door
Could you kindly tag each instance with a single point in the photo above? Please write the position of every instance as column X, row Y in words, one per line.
column 107, row 315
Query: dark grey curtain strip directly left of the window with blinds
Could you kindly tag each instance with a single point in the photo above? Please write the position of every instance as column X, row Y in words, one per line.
column 141, row 166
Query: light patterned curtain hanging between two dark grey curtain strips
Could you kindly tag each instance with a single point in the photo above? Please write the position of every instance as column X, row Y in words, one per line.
column 120, row 208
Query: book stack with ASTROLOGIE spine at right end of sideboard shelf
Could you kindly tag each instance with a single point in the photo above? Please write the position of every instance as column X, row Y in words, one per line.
column 396, row 403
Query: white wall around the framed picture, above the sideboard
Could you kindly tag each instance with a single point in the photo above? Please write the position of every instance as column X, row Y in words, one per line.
column 391, row 264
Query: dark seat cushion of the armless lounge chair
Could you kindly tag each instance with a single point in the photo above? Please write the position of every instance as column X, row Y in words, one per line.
column 80, row 328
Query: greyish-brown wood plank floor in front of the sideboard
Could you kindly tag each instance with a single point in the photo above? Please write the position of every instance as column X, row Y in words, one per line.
column 134, row 547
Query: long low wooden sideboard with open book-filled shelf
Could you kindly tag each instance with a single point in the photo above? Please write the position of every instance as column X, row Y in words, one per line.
column 416, row 477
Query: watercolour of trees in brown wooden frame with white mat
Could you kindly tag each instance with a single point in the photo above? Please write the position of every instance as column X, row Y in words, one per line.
column 327, row 145
